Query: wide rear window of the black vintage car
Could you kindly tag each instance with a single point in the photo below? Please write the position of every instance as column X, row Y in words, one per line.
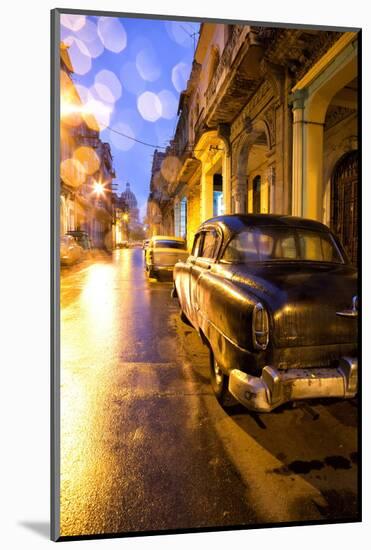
column 282, row 244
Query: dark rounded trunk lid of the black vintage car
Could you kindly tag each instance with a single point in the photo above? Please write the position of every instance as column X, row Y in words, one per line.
column 304, row 300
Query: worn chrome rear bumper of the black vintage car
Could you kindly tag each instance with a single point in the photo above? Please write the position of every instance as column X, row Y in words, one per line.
column 275, row 387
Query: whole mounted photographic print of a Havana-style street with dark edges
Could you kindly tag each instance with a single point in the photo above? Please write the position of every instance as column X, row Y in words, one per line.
column 205, row 230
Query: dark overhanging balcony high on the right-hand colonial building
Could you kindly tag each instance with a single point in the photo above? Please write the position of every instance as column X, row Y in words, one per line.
column 236, row 78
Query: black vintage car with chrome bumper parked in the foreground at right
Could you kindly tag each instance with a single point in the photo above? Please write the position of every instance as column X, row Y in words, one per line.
column 274, row 299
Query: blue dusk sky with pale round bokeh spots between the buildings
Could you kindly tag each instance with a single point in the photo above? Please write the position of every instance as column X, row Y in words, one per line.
column 131, row 72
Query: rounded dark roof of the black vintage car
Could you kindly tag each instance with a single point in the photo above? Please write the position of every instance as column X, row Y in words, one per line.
column 237, row 222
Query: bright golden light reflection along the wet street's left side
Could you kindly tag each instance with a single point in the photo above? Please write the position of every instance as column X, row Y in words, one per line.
column 101, row 325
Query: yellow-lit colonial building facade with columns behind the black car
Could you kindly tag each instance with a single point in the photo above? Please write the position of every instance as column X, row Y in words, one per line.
column 267, row 123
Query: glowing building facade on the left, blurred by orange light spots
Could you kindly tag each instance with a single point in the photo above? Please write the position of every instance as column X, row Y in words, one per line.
column 85, row 162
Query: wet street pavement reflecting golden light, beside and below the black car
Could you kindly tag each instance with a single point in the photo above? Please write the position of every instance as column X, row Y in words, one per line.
column 144, row 444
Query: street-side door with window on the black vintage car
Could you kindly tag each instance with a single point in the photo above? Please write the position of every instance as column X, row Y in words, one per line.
column 201, row 264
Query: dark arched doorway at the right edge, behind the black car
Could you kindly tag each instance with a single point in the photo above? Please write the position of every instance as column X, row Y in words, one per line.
column 344, row 202
